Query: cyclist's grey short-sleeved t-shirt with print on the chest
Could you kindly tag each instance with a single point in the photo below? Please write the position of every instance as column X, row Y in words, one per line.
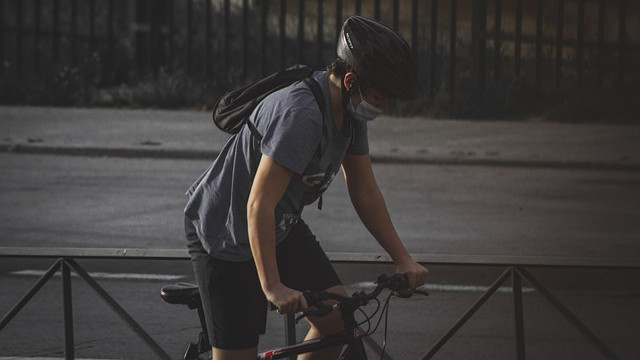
column 291, row 124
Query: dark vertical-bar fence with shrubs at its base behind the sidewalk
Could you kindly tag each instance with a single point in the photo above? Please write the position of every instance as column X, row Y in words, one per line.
column 472, row 54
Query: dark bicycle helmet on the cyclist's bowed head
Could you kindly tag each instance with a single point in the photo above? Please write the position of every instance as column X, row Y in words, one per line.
column 379, row 56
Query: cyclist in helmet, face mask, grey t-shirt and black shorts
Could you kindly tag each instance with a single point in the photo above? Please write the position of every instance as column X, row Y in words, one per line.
column 247, row 241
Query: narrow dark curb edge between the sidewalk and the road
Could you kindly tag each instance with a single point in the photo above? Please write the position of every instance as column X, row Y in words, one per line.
column 195, row 154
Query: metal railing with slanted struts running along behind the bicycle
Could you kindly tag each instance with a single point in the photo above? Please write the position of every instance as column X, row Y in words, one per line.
column 516, row 269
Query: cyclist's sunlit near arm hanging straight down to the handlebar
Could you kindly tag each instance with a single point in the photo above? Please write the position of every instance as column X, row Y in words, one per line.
column 269, row 185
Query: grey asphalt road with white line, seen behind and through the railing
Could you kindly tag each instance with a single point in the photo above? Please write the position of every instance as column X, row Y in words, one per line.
column 60, row 201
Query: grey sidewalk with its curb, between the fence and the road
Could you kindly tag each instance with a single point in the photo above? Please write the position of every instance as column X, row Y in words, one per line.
column 192, row 135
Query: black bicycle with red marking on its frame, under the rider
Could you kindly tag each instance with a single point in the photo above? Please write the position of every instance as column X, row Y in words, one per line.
column 187, row 294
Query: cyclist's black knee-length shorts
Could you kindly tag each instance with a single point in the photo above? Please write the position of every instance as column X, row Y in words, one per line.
column 234, row 304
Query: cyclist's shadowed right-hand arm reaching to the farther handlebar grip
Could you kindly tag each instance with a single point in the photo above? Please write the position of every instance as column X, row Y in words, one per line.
column 369, row 203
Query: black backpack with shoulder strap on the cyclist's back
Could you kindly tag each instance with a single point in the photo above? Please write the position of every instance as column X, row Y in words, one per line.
column 232, row 110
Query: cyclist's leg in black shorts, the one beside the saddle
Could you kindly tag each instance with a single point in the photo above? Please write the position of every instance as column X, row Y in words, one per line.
column 233, row 303
